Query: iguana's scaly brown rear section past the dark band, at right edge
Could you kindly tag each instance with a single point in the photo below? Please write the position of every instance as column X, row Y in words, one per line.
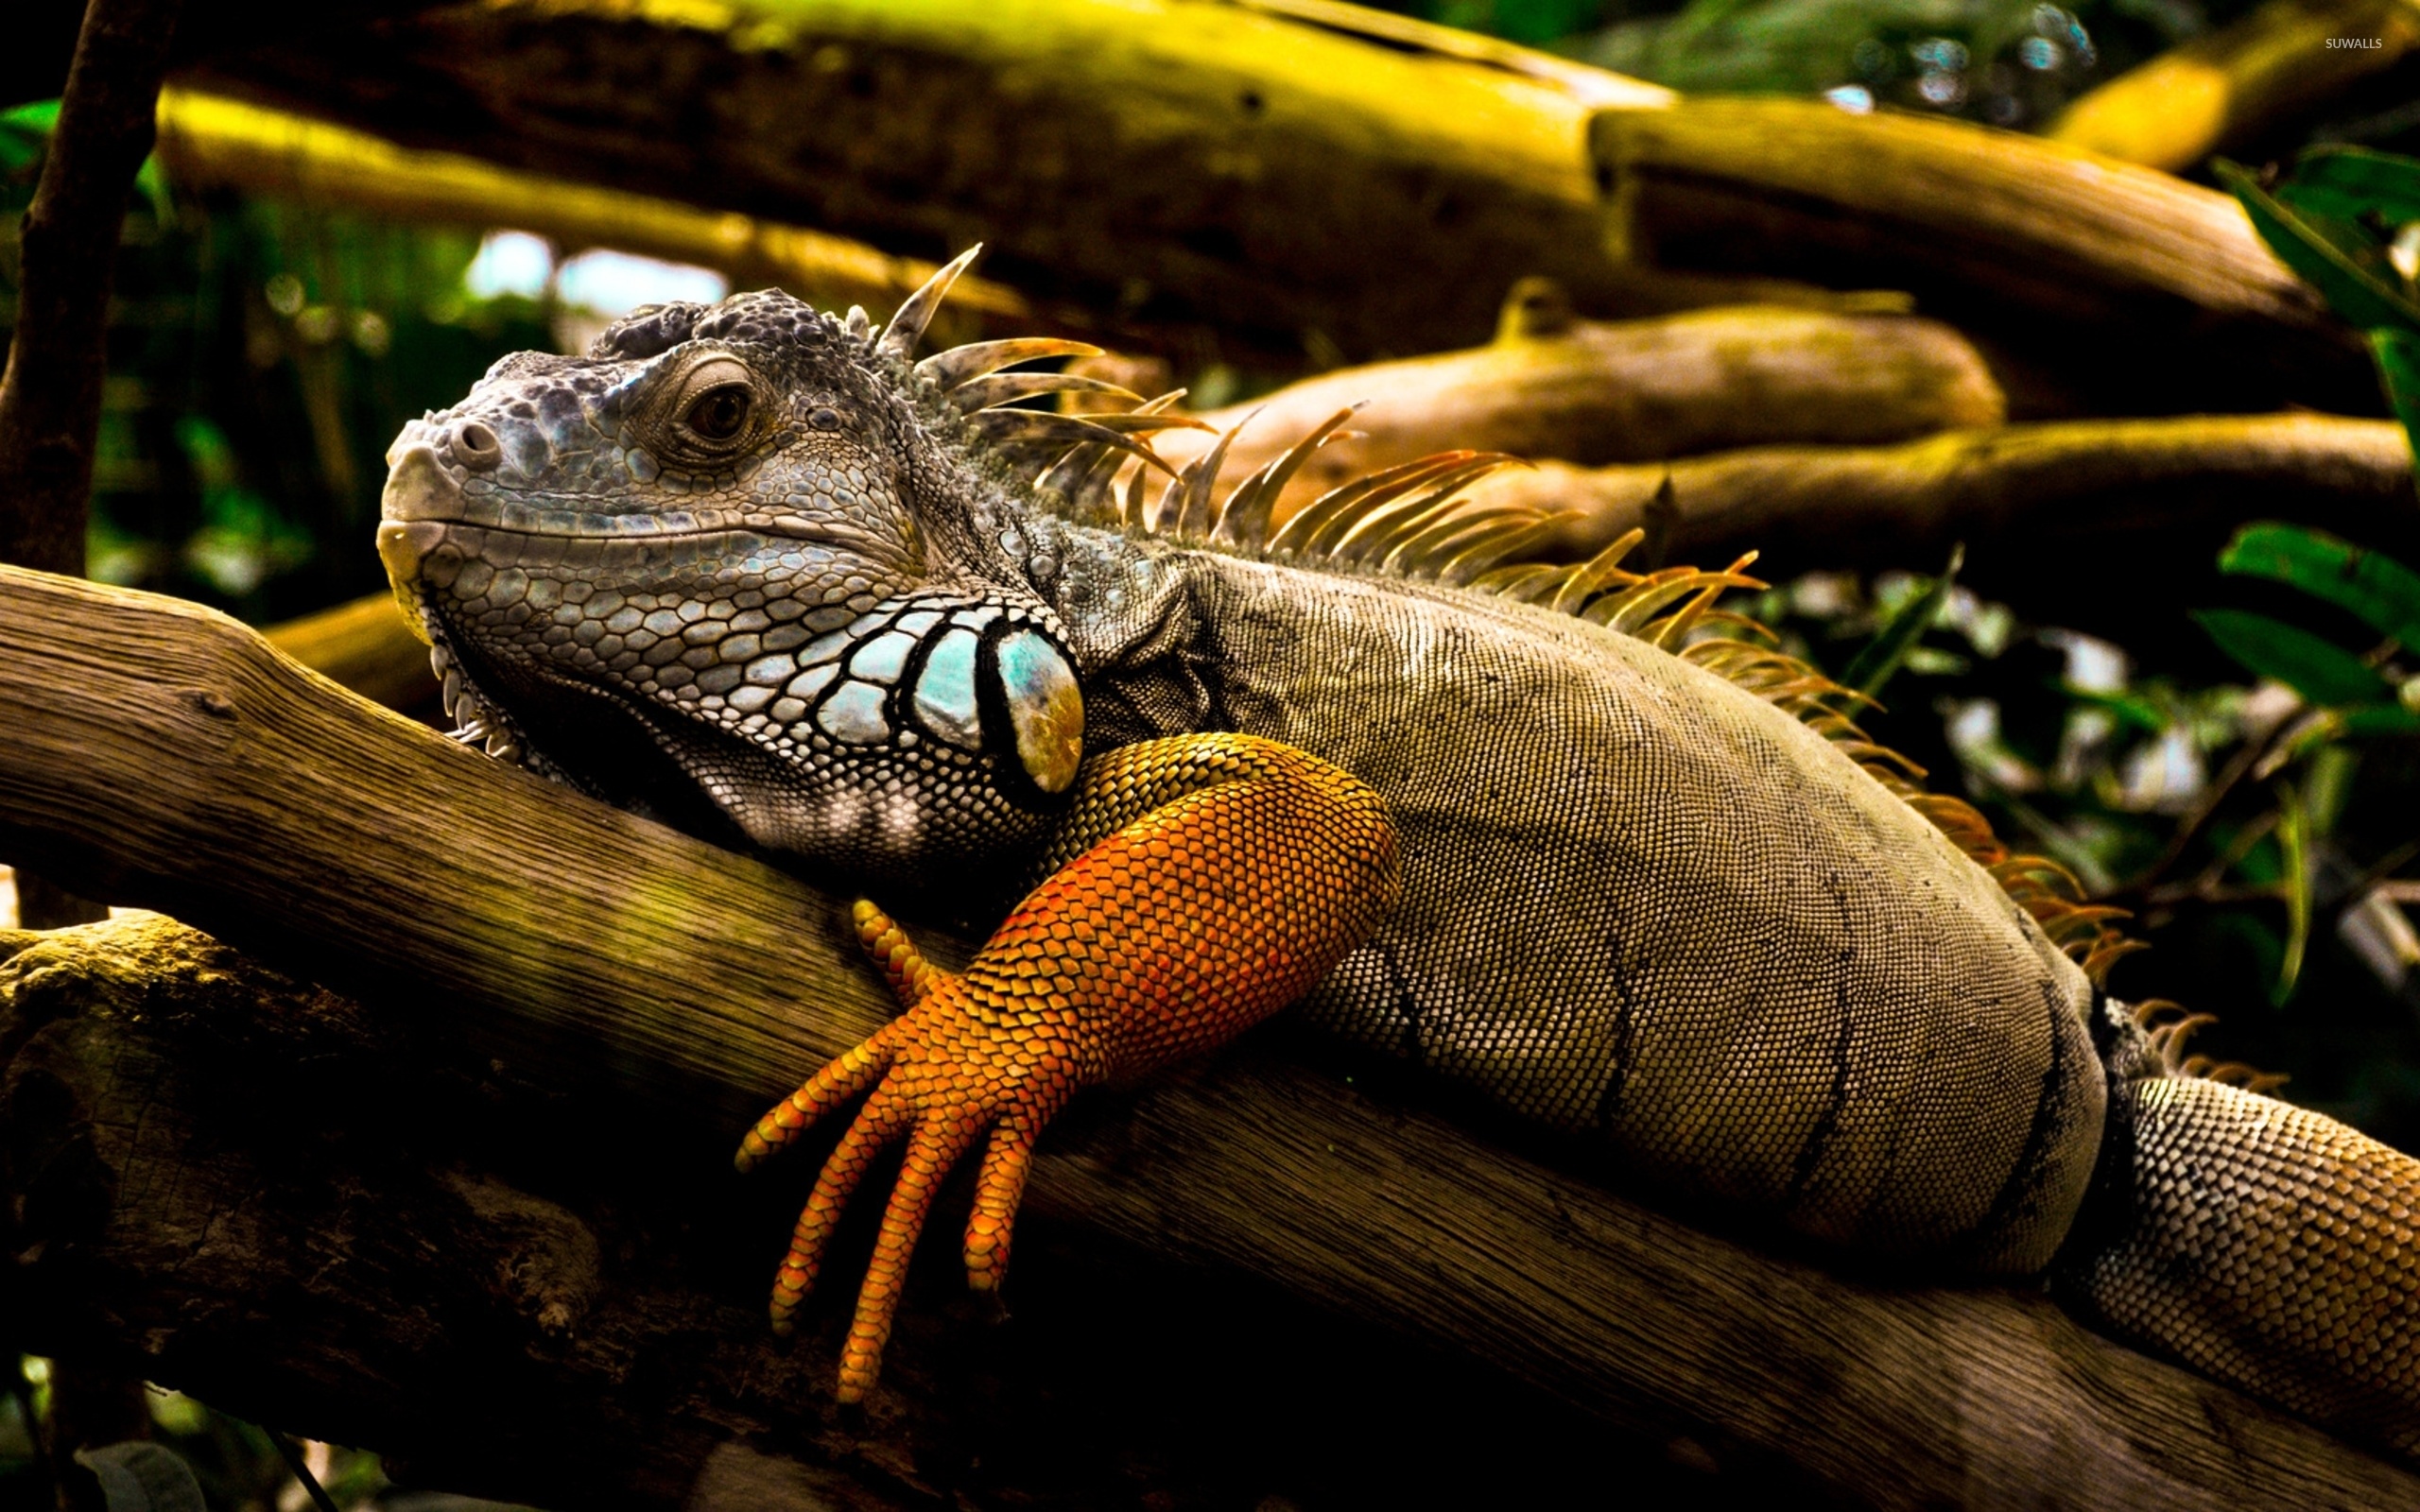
column 2261, row 1245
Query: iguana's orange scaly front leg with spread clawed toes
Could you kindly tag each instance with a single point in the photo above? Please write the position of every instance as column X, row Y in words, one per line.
column 1226, row 879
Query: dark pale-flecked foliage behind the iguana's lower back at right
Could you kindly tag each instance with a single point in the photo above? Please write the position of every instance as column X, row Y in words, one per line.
column 2254, row 826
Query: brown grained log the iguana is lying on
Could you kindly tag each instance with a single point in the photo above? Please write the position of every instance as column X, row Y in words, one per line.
column 171, row 754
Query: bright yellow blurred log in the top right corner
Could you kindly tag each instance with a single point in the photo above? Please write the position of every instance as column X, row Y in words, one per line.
column 2240, row 81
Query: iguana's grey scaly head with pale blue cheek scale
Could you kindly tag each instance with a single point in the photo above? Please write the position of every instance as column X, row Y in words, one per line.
column 737, row 550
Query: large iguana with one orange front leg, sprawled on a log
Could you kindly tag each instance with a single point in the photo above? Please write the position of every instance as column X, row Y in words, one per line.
column 1569, row 836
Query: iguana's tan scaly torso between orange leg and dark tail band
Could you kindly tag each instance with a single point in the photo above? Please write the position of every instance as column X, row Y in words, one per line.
column 1647, row 906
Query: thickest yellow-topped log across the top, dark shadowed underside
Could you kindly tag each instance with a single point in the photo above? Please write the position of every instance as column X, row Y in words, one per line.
column 1243, row 180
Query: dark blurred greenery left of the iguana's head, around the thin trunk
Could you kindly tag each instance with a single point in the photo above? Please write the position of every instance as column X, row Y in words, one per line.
column 260, row 359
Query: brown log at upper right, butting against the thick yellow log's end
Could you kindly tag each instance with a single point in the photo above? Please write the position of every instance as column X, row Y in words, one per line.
column 2143, row 294
